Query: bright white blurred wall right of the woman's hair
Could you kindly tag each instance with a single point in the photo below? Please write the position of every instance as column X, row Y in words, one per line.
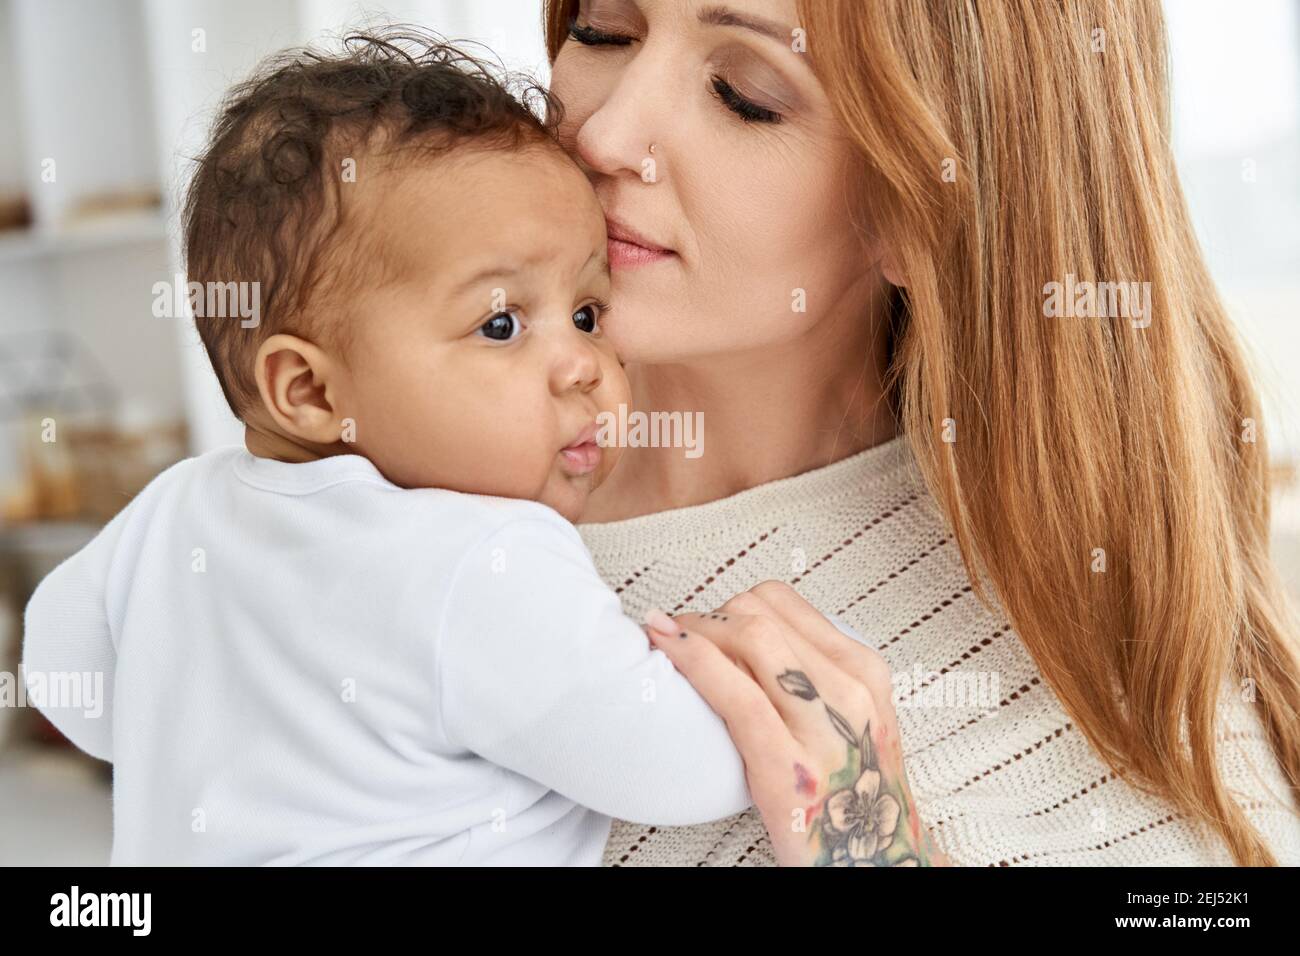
column 1237, row 136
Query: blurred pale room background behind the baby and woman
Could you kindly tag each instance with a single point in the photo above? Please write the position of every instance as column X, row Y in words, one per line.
column 105, row 102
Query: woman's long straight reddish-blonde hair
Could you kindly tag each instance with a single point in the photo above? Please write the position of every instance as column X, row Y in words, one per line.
column 1006, row 146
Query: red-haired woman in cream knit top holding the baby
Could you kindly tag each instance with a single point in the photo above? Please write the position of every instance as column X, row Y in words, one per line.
column 843, row 232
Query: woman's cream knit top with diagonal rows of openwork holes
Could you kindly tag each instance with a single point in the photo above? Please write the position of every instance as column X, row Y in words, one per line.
column 1000, row 775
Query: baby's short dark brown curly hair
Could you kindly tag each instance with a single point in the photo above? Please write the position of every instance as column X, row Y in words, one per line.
column 267, row 202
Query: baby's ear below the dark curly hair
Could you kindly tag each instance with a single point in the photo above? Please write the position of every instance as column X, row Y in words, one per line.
column 298, row 383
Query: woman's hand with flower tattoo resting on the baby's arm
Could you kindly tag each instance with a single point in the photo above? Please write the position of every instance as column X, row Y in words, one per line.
column 812, row 715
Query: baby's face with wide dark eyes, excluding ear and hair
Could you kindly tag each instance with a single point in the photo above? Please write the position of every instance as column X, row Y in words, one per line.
column 482, row 364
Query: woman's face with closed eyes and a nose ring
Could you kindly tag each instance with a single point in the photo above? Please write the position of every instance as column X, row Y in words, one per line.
column 735, row 232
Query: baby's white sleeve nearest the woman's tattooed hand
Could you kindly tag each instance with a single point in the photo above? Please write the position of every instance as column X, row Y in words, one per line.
column 541, row 672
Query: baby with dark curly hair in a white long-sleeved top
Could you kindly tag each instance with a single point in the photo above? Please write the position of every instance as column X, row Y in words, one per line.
column 374, row 634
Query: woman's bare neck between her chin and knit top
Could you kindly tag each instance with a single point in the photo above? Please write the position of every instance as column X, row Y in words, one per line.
column 766, row 414
